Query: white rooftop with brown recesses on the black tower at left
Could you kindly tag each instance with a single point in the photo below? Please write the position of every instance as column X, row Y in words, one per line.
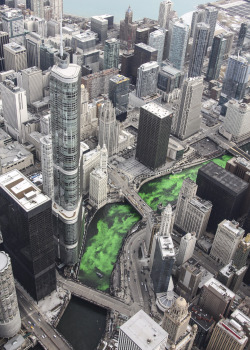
column 22, row 190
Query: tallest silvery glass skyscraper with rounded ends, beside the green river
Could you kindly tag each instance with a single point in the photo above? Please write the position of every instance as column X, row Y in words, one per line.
column 65, row 95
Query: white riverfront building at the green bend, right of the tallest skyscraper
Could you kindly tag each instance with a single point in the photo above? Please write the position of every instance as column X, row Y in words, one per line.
column 98, row 188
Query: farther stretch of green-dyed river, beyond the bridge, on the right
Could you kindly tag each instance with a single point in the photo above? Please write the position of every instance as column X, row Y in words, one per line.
column 166, row 189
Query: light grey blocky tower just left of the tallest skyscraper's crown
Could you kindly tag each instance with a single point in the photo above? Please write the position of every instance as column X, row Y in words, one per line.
column 32, row 82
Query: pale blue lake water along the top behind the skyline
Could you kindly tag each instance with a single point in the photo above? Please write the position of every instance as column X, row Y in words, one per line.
column 140, row 8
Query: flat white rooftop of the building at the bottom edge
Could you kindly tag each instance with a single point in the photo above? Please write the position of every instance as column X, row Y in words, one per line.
column 144, row 331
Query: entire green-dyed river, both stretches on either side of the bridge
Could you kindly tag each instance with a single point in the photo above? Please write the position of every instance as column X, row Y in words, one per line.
column 112, row 222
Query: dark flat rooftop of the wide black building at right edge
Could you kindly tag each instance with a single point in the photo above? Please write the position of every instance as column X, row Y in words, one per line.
column 226, row 179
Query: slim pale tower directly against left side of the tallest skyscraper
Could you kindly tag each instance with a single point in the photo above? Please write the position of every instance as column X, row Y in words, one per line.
column 47, row 165
